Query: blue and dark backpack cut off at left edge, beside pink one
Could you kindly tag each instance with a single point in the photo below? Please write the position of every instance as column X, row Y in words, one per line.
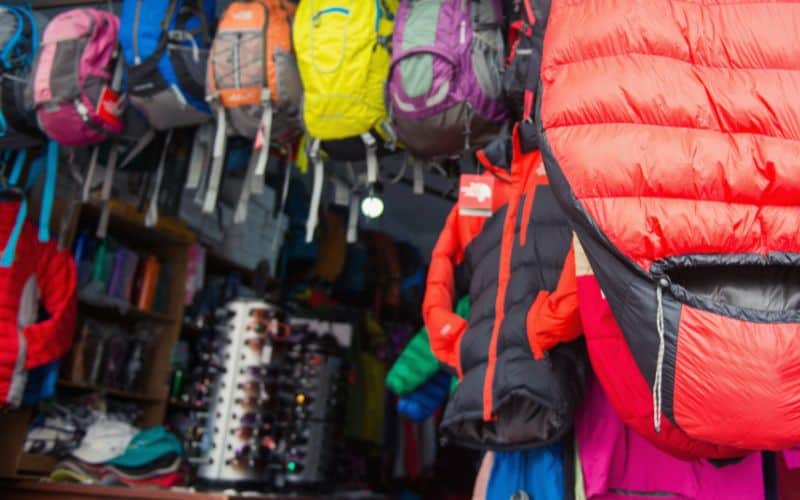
column 20, row 32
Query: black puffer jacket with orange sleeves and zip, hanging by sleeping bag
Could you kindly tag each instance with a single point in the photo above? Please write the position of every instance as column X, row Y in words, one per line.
column 516, row 266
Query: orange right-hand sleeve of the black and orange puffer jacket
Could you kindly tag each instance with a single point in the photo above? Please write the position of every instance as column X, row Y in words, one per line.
column 554, row 316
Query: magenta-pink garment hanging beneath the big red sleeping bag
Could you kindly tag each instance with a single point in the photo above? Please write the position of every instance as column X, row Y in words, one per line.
column 618, row 463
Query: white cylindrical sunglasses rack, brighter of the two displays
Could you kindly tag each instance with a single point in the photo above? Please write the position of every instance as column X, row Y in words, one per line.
column 234, row 457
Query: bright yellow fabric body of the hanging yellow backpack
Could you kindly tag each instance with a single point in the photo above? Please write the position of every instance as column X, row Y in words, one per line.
column 343, row 63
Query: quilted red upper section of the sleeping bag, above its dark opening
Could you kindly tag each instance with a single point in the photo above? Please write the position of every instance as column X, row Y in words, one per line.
column 653, row 105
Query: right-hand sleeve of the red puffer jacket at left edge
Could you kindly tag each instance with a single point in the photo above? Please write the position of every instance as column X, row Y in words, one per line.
column 52, row 338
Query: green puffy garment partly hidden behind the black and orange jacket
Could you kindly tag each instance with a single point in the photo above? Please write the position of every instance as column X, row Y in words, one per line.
column 417, row 364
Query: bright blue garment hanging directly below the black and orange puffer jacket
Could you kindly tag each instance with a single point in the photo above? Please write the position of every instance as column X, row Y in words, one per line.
column 538, row 472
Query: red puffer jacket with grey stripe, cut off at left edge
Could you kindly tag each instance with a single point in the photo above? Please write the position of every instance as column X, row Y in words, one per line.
column 39, row 275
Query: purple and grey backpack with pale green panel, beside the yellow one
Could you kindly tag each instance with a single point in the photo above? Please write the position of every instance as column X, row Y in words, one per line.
column 445, row 83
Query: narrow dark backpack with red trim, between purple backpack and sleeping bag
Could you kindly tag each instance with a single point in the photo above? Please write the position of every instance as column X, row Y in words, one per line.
column 525, row 38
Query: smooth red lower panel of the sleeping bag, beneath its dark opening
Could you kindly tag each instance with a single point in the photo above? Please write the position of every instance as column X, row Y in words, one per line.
column 725, row 394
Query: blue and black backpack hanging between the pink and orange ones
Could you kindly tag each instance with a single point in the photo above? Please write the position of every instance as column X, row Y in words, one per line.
column 165, row 48
